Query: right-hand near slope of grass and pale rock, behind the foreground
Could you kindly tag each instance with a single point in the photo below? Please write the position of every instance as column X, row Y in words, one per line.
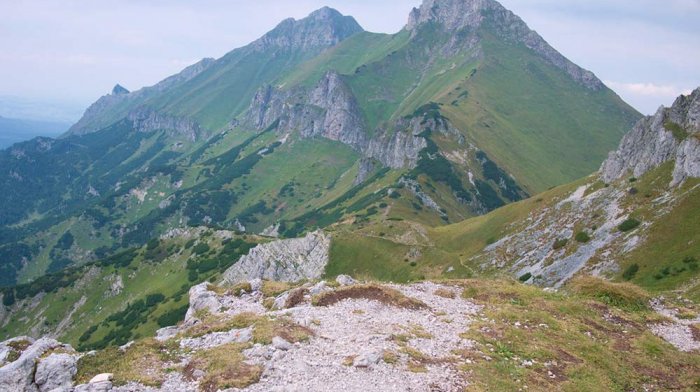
column 634, row 220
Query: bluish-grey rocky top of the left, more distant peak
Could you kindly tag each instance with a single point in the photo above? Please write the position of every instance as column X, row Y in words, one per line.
column 323, row 28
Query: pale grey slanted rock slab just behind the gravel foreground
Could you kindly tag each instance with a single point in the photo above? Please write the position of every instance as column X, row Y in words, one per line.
column 283, row 260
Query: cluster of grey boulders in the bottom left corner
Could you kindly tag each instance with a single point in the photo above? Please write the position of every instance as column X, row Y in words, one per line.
column 33, row 371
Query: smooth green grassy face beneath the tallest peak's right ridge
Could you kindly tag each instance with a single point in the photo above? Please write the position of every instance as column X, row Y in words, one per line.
column 533, row 120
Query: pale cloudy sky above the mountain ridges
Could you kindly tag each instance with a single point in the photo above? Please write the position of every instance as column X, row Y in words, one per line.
column 73, row 51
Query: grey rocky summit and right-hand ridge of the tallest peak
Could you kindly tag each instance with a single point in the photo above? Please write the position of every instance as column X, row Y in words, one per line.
column 470, row 15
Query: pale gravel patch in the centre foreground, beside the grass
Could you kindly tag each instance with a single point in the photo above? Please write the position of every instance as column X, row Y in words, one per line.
column 364, row 328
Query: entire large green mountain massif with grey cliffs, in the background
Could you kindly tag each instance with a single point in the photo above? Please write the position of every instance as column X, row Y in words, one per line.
column 315, row 123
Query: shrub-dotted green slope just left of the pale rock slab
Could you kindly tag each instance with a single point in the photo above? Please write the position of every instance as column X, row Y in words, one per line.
column 146, row 274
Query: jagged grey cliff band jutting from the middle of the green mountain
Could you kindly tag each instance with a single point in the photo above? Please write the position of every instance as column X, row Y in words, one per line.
column 330, row 110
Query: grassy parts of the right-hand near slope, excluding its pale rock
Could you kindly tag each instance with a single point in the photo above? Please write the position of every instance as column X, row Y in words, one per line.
column 667, row 255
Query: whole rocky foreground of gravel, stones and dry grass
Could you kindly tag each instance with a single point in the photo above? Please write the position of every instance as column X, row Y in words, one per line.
column 345, row 335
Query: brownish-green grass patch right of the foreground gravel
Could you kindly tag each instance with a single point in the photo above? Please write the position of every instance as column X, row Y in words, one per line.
column 577, row 340
